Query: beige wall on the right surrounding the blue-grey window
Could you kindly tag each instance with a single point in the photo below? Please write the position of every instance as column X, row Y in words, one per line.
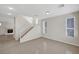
column 56, row 29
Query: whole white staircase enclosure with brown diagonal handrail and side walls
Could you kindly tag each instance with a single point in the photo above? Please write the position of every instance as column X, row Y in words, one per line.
column 26, row 29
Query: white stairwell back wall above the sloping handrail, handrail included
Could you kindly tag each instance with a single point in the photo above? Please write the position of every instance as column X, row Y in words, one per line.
column 22, row 26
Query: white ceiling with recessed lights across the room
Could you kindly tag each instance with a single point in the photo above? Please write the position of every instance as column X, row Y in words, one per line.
column 37, row 9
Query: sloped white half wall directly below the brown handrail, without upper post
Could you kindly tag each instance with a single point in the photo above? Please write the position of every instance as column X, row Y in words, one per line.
column 34, row 33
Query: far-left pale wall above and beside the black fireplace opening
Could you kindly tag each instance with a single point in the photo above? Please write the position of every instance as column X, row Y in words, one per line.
column 7, row 23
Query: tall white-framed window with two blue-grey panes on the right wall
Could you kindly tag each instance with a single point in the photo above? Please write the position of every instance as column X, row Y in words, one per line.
column 70, row 23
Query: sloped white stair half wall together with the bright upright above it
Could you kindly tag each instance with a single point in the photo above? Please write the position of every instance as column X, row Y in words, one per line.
column 34, row 33
